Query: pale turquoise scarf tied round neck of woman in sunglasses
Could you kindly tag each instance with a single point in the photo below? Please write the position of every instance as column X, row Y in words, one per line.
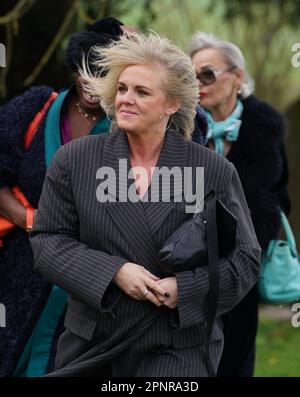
column 227, row 129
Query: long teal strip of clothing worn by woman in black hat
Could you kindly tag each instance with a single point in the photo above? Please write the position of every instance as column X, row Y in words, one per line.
column 35, row 357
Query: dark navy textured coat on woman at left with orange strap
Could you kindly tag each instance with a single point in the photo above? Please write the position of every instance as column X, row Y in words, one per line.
column 22, row 290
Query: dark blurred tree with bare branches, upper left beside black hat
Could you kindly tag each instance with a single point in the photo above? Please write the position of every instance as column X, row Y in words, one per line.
column 35, row 34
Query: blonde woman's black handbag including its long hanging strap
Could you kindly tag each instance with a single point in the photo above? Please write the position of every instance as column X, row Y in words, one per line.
column 202, row 240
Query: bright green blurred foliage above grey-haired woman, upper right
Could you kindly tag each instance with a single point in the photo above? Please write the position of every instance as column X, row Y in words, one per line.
column 265, row 31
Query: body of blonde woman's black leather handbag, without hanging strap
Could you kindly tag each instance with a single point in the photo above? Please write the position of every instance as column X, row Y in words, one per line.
column 187, row 247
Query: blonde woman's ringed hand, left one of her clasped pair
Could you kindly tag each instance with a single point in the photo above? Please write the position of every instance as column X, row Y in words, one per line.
column 139, row 283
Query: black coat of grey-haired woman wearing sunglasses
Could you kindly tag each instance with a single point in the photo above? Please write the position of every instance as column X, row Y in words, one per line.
column 260, row 160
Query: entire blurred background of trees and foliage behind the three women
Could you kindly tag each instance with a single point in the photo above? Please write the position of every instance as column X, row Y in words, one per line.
column 35, row 33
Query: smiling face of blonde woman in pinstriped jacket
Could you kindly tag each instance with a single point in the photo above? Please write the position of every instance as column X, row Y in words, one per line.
column 141, row 104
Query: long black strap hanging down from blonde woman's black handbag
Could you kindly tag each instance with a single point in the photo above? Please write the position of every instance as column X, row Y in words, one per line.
column 213, row 275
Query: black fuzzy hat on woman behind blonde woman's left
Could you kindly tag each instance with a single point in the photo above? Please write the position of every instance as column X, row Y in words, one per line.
column 100, row 33
